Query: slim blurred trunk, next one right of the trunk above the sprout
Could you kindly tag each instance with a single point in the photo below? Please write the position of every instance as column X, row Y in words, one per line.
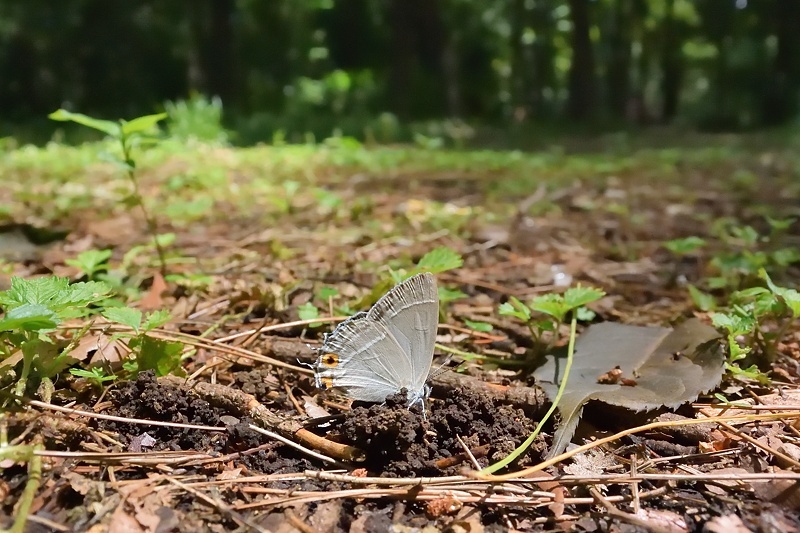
column 619, row 68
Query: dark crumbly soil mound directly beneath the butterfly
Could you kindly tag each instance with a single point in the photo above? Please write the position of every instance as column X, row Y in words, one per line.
column 400, row 442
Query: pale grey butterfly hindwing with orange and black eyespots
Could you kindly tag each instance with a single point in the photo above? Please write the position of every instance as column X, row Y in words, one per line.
column 362, row 359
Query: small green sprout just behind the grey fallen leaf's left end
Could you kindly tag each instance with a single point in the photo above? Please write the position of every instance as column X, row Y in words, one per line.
column 545, row 313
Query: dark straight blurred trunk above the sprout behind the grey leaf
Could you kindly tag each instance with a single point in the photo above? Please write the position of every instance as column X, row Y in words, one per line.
column 580, row 103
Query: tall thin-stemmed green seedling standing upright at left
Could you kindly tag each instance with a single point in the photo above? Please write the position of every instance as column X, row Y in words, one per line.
column 130, row 135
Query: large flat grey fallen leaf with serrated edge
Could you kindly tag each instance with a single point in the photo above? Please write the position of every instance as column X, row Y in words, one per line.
column 666, row 367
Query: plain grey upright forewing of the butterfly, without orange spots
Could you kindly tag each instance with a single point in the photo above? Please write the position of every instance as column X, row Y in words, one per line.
column 410, row 311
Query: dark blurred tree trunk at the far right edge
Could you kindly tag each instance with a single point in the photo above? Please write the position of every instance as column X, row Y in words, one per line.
column 781, row 94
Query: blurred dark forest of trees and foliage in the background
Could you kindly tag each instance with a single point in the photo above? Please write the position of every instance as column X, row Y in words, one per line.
column 387, row 70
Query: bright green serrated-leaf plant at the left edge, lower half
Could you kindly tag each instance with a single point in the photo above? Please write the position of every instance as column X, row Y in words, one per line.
column 33, row 309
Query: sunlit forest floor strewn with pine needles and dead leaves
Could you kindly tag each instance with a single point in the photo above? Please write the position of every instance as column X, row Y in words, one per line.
column 266, row 248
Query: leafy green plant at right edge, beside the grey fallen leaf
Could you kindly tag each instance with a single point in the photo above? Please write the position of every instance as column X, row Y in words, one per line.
column 755, row 320
